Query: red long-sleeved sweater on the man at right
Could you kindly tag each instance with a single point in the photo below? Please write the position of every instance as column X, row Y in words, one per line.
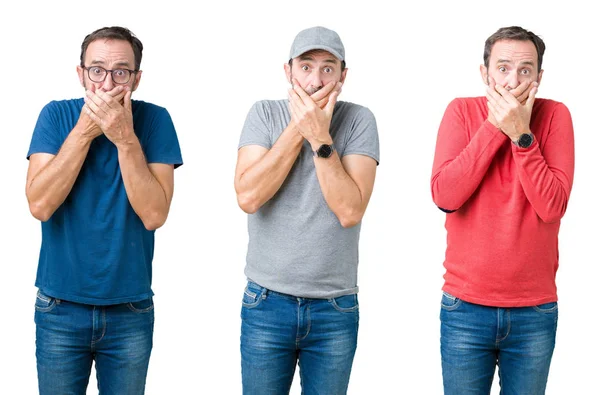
column 507, row 203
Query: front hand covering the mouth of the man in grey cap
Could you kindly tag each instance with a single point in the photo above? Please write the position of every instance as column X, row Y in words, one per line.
column 311, row 121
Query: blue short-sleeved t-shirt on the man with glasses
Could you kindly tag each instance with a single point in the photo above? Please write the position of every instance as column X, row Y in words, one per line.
column 95, row 249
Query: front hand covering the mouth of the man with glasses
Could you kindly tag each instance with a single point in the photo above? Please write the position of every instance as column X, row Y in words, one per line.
column 105, row 109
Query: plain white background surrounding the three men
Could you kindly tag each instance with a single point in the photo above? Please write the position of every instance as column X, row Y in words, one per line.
column 207, row 65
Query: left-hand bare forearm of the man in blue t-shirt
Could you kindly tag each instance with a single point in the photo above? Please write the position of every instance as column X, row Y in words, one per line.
column 49, row 188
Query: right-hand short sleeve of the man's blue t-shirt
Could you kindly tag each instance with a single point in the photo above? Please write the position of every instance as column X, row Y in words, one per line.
column 162, row 145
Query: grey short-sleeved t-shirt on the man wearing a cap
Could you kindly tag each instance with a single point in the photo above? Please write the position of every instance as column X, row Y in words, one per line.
column 296, row 243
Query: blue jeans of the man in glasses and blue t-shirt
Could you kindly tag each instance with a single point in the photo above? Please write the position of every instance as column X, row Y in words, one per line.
column 69, row 336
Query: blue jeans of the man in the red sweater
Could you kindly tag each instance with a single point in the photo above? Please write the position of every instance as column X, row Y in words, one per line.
column 475, row 338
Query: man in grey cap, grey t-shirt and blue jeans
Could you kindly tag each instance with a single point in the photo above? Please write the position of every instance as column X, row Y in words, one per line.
column 305, row 172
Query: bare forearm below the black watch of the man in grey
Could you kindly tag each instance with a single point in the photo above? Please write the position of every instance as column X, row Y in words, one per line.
column 342, row 194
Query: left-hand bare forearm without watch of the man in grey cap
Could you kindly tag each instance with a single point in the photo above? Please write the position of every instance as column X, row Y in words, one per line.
column 259, row 183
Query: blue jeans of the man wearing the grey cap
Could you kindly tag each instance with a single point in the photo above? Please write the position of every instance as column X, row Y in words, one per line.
column 279, row 330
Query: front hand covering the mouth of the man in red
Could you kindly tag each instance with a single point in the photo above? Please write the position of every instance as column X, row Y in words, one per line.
column 511, row 116
